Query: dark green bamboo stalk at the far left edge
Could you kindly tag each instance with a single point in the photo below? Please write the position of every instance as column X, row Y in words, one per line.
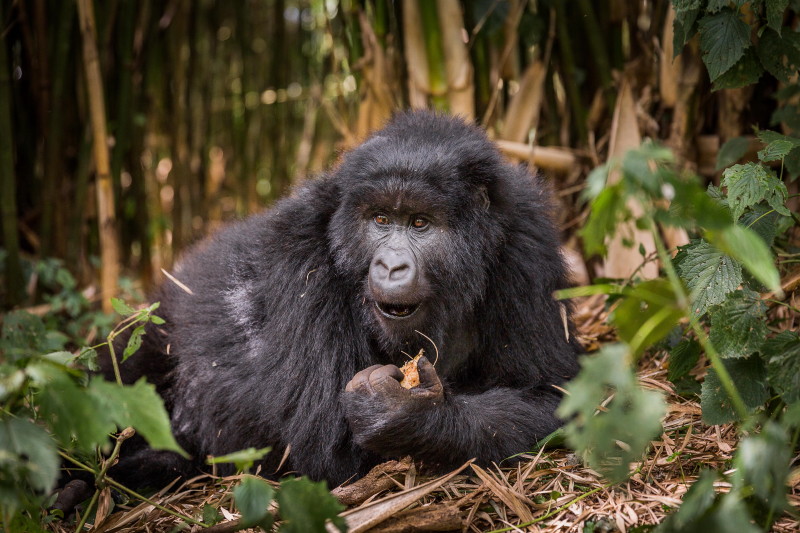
column 15, row 283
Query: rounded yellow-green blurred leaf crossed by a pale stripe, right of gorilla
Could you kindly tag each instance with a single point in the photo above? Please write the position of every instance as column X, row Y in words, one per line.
column 647, row 314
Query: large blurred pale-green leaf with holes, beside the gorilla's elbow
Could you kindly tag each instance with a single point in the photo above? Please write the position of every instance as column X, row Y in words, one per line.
column 610, row 440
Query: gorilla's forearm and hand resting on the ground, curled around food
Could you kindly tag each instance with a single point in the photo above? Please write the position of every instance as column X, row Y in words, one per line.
column 444, row 428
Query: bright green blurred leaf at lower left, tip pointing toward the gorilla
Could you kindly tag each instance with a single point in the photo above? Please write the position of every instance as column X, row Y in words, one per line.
column 139, row 406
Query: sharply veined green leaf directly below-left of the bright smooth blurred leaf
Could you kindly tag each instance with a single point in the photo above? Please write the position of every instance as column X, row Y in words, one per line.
column 708, row 273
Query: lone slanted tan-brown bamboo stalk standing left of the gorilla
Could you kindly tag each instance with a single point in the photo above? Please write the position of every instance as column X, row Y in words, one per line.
column 109, row 241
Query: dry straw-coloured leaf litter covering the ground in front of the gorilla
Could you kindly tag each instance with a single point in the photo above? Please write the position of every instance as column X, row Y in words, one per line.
column 547, row 491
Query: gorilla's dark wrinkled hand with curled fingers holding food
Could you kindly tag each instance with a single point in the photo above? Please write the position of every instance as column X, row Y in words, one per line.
column 378, row 408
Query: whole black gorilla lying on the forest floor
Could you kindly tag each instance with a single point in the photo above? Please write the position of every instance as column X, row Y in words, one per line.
column 423, row 228
